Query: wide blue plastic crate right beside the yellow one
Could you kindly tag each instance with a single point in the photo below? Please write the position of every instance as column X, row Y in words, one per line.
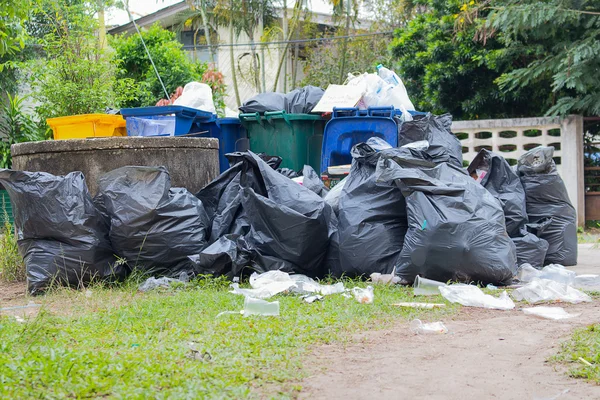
column 186, row 120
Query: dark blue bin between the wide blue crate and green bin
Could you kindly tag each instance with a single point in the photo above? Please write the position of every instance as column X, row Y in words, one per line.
column 231, row 134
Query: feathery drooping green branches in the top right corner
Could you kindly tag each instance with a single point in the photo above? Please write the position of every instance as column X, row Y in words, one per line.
column 568, row 30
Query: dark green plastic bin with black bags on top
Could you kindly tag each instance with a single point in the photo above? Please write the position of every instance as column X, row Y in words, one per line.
column 296, row 138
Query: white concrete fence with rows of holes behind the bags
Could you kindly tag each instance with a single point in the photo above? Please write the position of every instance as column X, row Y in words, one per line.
column 513, row 137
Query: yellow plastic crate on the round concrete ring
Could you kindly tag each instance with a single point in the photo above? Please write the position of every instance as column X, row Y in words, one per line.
column 87, row 126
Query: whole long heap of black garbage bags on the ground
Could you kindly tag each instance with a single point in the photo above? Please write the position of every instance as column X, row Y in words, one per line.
column 411, row 210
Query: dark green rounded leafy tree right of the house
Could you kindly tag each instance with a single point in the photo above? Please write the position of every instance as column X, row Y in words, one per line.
column 446, row 70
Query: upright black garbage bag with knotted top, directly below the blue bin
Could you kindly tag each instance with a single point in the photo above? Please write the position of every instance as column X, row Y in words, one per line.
column 371, row 217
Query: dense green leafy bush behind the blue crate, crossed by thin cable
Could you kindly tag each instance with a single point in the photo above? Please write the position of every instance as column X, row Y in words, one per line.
column 169, row 57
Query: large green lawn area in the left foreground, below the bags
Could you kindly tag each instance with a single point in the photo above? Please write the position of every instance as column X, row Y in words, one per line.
column 124, row 344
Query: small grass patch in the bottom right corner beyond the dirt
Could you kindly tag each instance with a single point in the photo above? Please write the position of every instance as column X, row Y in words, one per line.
column 582, row 353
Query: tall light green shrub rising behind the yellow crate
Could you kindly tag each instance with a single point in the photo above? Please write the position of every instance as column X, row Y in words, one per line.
column 76, row 76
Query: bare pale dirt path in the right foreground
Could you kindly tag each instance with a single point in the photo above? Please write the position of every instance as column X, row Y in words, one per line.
column 487, row 354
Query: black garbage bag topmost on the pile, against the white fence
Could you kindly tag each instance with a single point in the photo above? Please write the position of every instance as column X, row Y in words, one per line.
column 444, row 146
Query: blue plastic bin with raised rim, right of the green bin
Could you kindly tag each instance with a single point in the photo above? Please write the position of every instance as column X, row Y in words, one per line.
column 349, row 126
